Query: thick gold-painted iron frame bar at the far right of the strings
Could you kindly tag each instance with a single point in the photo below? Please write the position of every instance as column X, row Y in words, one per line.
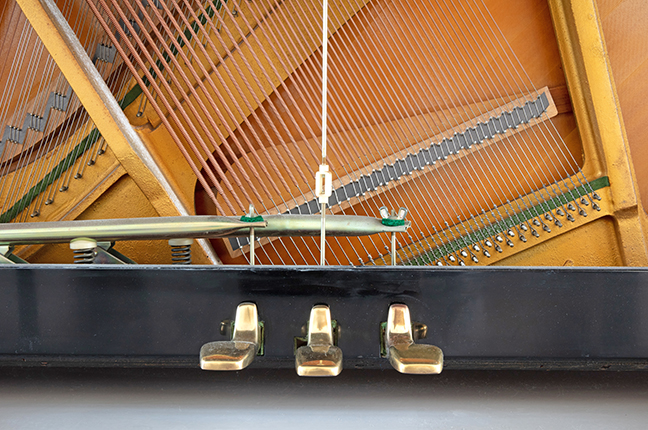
column 598, row 113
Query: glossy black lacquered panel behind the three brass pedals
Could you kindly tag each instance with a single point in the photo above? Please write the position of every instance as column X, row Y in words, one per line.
column 162, row 315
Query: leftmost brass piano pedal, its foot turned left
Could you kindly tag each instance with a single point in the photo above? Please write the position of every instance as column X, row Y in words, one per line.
column 238, row 353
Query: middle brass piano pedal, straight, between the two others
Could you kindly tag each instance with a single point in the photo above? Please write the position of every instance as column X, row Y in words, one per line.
column 320, row 357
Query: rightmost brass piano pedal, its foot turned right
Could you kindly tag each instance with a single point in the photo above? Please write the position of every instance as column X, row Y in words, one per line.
column 405, row 355
